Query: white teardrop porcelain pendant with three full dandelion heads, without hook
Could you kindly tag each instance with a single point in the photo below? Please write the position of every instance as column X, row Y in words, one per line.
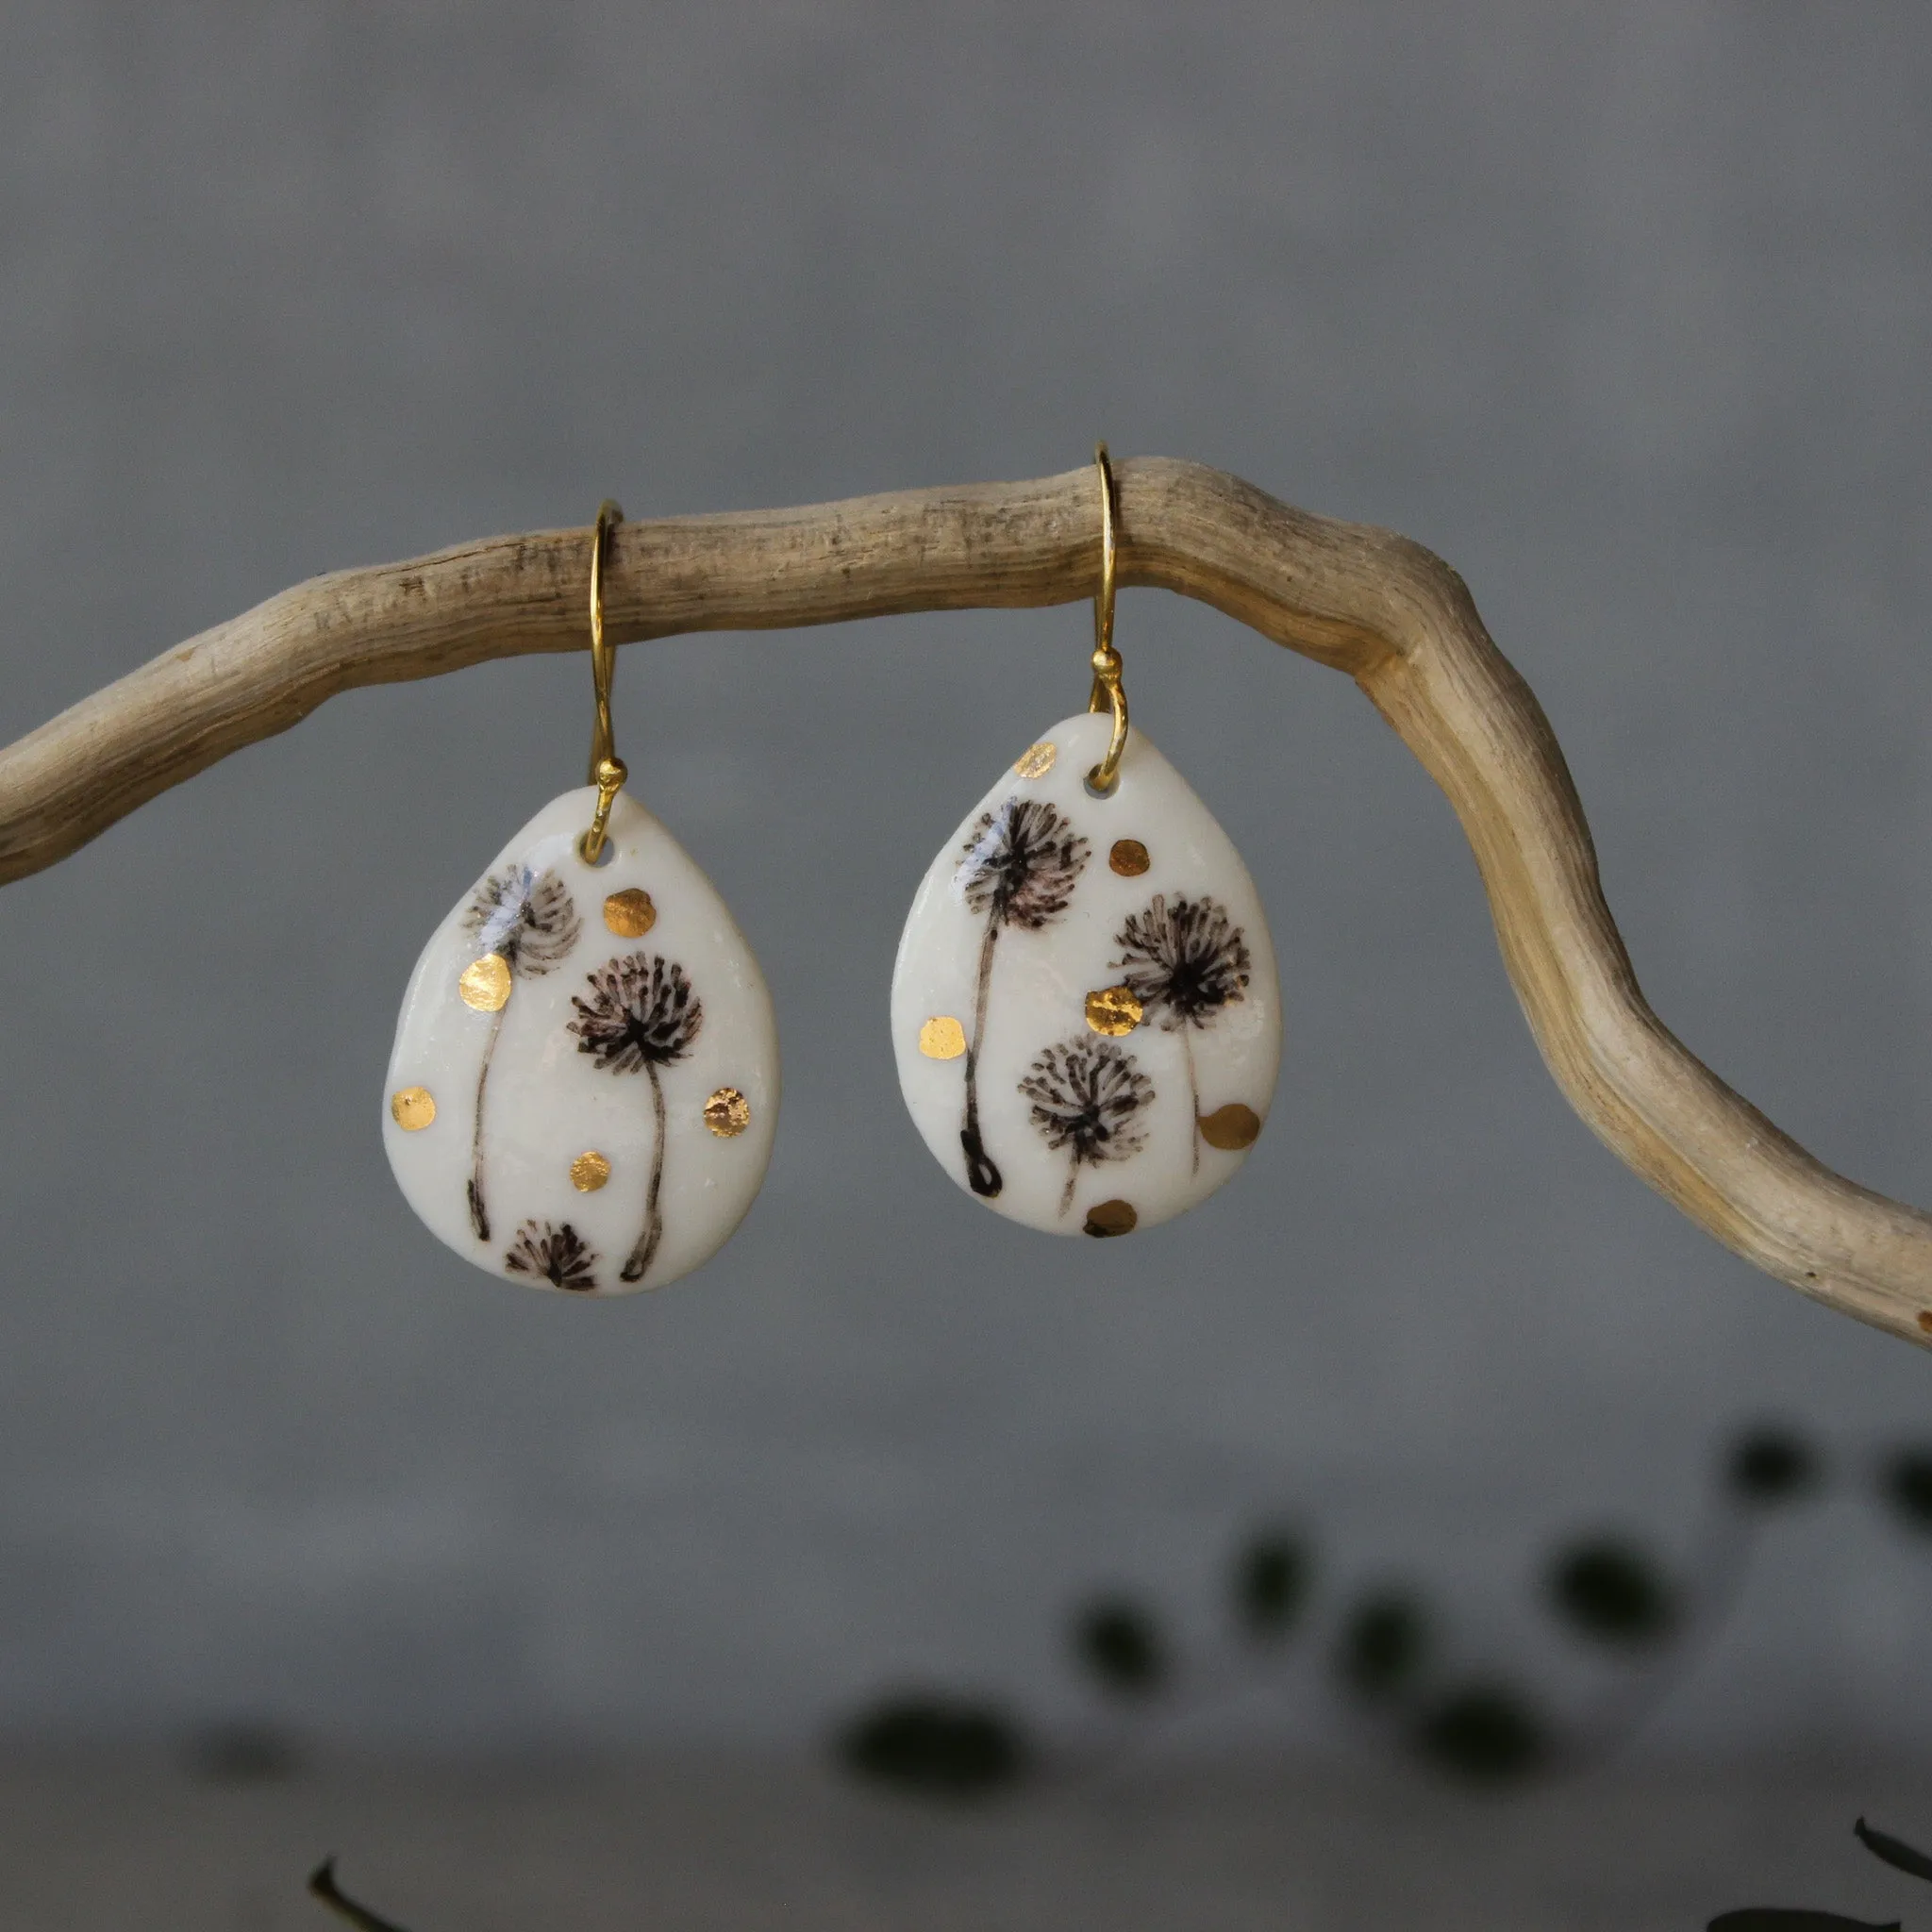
column 1085, row 1004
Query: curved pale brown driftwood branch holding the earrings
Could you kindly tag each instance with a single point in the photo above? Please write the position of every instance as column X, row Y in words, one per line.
column 1353, row 598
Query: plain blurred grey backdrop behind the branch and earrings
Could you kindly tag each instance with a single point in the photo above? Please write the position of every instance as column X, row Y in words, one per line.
column 1620, row 308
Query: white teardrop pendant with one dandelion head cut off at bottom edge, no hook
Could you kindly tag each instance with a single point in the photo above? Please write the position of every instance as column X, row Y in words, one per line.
column 586, row 1071
